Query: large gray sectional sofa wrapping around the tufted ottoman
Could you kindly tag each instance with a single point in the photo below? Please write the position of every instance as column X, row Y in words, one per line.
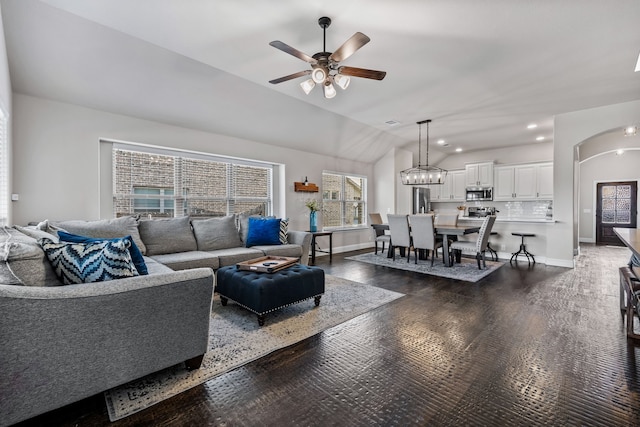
column 62, row 343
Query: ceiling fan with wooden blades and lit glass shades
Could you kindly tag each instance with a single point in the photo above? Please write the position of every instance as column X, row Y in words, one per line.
column 325, row 68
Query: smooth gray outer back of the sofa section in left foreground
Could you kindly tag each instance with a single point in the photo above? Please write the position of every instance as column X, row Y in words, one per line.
column 65, row 343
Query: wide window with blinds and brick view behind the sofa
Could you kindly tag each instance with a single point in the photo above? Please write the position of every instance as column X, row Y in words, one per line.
column 162, row 183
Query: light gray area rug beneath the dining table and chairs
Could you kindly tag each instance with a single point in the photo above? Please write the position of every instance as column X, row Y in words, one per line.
column 467, row 270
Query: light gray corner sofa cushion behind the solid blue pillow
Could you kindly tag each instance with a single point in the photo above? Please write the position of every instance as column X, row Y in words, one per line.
column 106, row 228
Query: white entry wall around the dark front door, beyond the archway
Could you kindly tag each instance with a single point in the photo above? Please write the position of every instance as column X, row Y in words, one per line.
column 603, row 168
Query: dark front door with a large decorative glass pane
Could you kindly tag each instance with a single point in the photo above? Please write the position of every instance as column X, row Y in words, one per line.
column 616, row 207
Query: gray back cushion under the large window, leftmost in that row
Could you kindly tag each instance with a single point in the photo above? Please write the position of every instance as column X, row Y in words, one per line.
column 166, row 236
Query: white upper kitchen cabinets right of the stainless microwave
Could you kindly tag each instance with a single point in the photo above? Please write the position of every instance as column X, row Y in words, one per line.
column 524, row 182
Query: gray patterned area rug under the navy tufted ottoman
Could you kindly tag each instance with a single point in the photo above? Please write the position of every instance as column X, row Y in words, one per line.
column 236, row 339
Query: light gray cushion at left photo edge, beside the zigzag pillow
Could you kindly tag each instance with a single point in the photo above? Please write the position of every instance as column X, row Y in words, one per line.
column 24, row 259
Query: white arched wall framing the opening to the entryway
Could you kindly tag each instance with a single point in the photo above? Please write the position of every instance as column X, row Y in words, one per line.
column 570, row 130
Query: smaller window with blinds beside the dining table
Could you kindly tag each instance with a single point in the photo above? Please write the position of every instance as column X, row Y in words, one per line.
column 343, row 200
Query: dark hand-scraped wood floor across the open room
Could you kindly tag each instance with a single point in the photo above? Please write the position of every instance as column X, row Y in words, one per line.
column 524, row 346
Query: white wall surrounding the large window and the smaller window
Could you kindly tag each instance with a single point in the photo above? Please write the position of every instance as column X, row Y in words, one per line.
column 56, row 161
